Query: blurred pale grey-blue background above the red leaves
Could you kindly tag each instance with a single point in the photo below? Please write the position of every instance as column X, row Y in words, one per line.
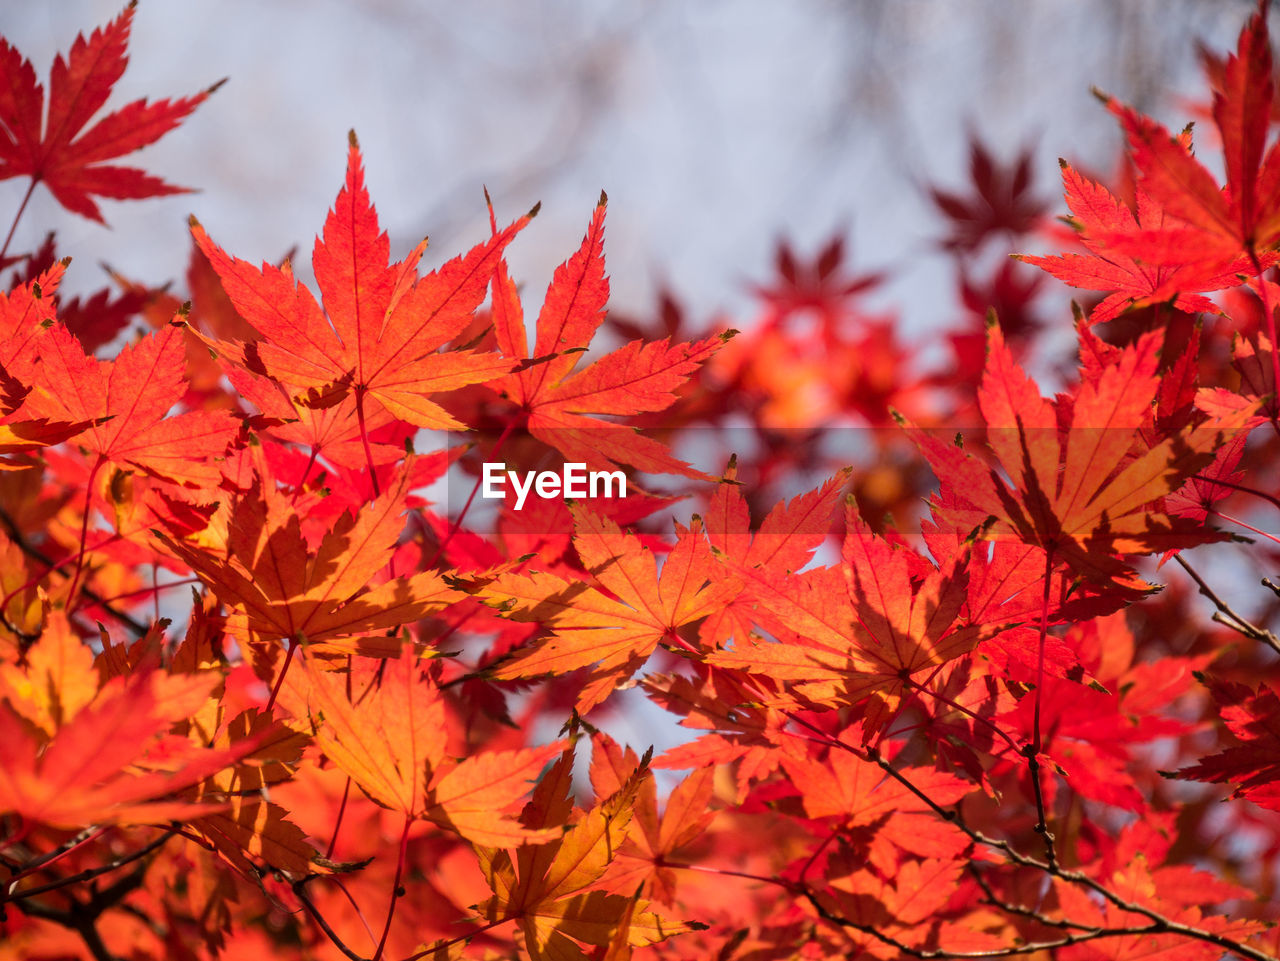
column 717, row 129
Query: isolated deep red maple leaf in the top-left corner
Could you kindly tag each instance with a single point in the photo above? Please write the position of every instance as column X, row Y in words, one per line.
column 49, row 144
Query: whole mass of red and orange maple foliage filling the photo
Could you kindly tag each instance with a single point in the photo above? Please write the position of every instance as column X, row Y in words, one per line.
column 994, row 685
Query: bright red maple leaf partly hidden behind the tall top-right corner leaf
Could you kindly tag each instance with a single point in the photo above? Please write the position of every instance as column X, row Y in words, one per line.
column 1098, row 214
